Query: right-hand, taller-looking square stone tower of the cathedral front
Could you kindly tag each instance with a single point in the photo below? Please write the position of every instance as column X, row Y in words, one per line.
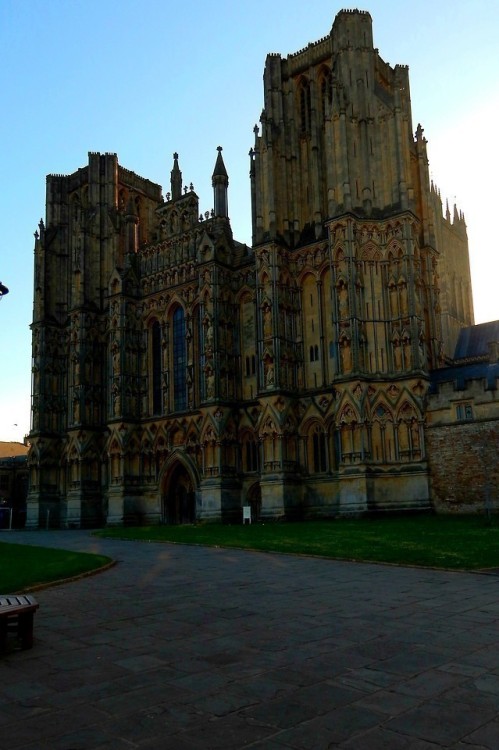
column 351, row 250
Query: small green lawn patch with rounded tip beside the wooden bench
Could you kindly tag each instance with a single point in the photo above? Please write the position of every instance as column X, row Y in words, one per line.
column 24, row 566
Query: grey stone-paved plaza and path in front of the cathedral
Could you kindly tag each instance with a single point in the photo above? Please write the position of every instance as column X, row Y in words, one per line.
column 183, row 648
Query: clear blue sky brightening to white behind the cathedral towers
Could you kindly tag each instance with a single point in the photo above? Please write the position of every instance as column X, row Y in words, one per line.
column 145, row 79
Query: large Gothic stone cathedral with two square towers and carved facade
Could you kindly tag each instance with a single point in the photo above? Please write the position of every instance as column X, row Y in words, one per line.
column 180, row 375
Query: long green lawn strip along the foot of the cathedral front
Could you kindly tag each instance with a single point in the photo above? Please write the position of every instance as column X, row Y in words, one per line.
column 454, row 542
